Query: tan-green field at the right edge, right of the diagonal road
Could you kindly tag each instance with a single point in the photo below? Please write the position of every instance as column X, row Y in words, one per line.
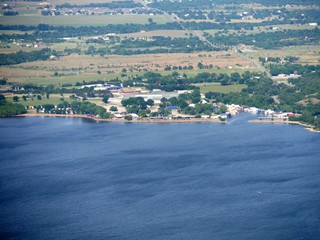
column 307, row 54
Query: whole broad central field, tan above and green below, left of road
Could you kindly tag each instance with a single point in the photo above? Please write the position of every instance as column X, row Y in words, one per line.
column 78, row 68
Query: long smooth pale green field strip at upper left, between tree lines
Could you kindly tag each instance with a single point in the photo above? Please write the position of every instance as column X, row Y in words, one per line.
column 94, row 20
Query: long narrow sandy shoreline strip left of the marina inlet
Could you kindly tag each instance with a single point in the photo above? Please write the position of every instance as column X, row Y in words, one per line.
column 195, row 120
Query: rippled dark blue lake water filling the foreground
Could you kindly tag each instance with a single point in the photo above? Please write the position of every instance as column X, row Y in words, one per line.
column 64, row 178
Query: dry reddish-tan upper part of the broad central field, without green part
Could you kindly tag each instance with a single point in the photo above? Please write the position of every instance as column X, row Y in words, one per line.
column 149, row 61
